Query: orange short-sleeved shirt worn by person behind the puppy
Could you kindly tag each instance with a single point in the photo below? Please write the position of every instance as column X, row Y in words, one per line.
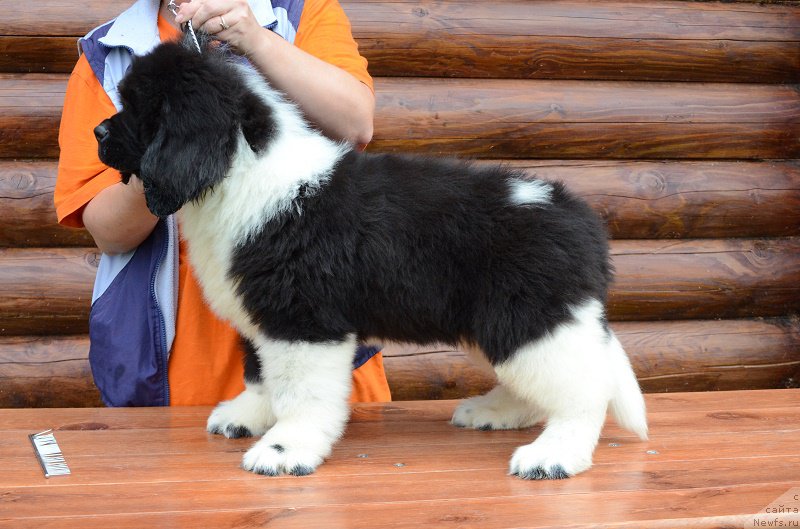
column 205, row 364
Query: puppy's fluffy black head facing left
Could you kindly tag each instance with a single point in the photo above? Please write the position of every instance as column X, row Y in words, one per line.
column 182, row 114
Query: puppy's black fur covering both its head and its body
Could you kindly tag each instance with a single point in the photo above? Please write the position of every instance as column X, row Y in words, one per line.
column 403, row 248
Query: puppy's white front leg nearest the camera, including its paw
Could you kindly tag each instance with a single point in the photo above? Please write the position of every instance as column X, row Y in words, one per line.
column 309, row 385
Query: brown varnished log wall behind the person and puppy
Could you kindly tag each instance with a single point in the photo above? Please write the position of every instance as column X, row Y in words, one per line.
column 678, row 121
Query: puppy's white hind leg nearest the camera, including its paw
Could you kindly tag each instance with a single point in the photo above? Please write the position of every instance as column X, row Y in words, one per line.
column 569, row 376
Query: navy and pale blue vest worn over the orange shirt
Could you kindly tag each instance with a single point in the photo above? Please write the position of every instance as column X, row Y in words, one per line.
column 134, row 304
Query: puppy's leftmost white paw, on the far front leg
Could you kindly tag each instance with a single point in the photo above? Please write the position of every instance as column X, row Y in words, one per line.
column 247, row 415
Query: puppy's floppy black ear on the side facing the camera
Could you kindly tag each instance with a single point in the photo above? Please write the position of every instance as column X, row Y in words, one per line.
column 187, row 157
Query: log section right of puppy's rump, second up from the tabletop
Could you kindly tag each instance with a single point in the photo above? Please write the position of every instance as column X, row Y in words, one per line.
column 699, row 279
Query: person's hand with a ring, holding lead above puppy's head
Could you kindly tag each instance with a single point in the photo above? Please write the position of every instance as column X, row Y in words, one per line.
column 231, row 21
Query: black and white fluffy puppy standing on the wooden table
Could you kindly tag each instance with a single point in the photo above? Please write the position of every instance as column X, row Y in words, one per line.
column 308, row 248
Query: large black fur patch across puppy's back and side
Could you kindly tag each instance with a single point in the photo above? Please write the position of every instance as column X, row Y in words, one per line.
column 423, row 250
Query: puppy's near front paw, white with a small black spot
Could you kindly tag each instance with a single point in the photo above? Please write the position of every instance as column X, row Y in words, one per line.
column 275, row 455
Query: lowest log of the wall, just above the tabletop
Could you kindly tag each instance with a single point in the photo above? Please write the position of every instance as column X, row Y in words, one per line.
column 667, row 357
